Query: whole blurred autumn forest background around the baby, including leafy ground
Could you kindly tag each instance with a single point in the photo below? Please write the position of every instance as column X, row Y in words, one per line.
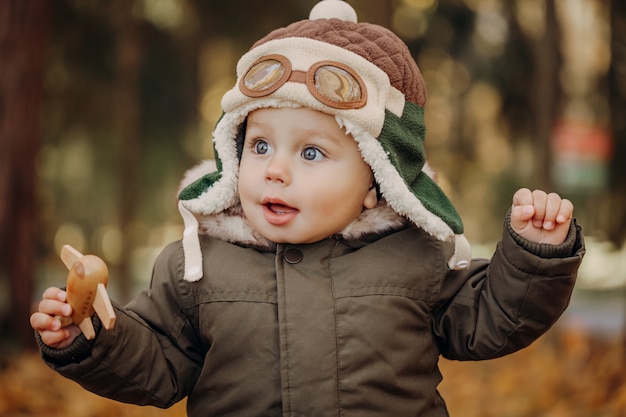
column 105, row 104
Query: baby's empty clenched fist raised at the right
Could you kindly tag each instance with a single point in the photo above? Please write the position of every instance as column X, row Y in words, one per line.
column 540, row 217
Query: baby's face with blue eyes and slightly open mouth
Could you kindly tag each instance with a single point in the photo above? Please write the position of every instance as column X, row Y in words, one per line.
column 301, row 178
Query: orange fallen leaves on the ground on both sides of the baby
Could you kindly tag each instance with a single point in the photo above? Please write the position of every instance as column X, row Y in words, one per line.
column 564, row 374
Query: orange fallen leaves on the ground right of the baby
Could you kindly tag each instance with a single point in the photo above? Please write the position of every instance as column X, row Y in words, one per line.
column 563, row 374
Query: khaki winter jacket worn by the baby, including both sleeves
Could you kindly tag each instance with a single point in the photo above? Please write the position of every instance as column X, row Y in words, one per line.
column 334, row 328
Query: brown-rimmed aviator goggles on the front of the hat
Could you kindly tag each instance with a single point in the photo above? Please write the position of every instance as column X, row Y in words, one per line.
column 332, row 83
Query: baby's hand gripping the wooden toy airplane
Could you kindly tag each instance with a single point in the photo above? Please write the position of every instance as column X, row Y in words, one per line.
column 53, row 320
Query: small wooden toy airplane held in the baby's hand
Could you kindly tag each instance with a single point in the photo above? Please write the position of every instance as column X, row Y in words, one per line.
column 86, row 290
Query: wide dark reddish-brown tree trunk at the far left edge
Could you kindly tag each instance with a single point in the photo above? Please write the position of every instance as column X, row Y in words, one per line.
column 23, row 25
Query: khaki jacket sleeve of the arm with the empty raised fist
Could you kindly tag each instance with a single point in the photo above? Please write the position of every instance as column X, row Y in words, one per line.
column 497, row 307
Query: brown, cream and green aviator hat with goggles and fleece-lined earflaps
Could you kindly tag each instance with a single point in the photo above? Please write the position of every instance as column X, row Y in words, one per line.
column 364, row 76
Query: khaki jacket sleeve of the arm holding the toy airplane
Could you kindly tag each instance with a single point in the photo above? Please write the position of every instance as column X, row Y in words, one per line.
column 150, row 357
